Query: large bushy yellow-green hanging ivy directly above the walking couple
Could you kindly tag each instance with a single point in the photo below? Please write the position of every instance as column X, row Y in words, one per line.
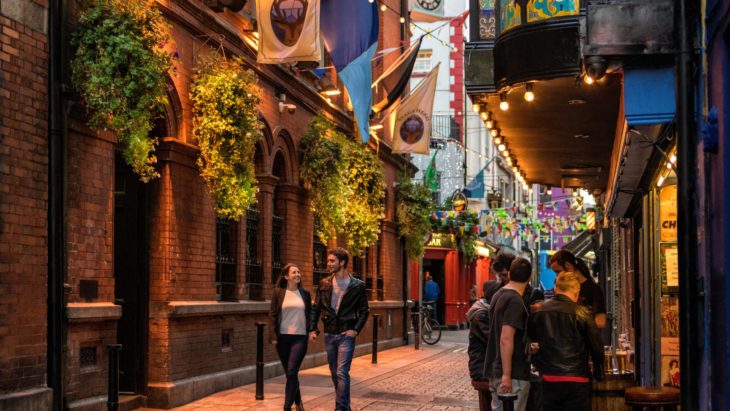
column 345, row 182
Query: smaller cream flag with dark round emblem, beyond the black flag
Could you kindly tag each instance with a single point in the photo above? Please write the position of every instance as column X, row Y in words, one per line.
column 410, row 122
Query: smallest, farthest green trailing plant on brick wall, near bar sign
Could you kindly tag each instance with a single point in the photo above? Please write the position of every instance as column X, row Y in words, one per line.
column 413, row 208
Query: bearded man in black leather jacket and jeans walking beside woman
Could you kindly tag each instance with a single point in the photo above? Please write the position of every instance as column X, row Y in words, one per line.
column 343, row 304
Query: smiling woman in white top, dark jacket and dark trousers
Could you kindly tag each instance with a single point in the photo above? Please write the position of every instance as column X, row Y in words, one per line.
column 291, row 306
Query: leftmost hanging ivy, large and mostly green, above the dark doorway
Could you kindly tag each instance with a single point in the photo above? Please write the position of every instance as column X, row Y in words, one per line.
column 119, row 70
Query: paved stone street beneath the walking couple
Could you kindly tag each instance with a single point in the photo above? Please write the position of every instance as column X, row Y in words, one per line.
column 433, row 378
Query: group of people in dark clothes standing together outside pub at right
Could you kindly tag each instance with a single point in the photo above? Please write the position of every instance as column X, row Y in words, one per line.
column 513, row 329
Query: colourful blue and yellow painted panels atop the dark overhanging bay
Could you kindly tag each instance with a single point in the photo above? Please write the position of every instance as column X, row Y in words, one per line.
column 513, row 13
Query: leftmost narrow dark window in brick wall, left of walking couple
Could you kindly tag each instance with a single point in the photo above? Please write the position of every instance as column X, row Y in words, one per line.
column 225, row 260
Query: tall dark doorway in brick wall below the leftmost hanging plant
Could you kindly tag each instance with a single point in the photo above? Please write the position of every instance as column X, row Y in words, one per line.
column 131, row 275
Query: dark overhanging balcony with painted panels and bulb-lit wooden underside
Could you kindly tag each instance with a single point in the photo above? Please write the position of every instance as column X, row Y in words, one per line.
column 565, row 136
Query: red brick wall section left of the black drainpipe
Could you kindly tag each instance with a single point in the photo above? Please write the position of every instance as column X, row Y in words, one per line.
column 23, row 205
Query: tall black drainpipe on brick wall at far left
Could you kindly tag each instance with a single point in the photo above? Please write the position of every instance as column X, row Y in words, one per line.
column 56, row 141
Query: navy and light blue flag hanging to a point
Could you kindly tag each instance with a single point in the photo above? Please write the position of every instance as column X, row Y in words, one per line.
column 350, row 33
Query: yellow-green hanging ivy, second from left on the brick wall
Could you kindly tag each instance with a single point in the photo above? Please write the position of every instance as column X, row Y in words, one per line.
column 225, row 100
